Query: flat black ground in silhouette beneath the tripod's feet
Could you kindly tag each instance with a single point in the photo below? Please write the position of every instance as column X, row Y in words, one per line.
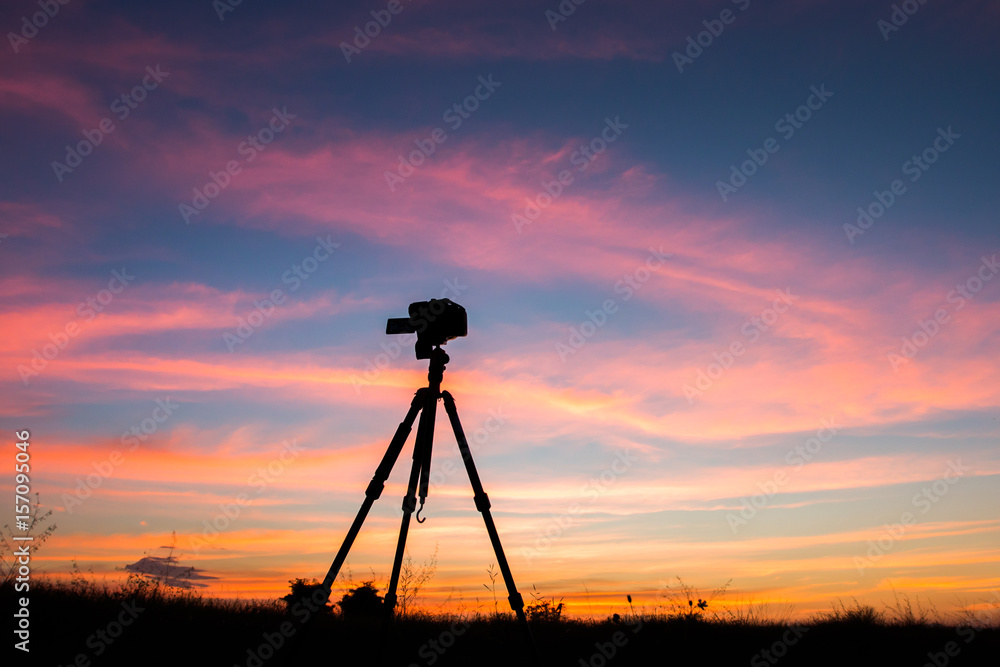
column 81, row 627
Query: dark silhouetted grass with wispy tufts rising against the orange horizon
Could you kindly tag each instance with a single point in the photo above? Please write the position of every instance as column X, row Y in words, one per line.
column 178, row 627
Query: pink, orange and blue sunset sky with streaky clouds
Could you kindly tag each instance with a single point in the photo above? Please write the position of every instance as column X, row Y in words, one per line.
column 730, row 271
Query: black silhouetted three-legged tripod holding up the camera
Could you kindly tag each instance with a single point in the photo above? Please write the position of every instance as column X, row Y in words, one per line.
column 425, row 402
